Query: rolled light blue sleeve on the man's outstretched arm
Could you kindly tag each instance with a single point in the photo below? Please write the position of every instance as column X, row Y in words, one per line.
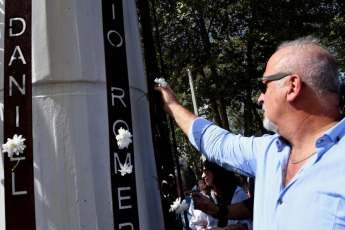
column 233, row 152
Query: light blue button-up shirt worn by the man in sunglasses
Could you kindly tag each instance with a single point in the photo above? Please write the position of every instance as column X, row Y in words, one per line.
column 313, row 200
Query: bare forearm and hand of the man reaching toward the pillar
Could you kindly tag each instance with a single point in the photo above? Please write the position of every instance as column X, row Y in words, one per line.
column 183, row 117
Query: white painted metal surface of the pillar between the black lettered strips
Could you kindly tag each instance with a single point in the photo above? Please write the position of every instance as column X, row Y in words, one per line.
column 70, row 124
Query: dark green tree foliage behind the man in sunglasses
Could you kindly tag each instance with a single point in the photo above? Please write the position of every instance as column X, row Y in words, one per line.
column 227, row 44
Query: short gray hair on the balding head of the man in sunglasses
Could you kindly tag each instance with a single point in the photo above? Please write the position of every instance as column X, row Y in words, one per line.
column 316, row 65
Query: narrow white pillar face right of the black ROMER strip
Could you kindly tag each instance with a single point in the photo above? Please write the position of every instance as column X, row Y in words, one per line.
column 150, row 210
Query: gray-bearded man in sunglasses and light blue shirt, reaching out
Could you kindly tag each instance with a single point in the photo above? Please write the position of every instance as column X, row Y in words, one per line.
column 300, row 171
